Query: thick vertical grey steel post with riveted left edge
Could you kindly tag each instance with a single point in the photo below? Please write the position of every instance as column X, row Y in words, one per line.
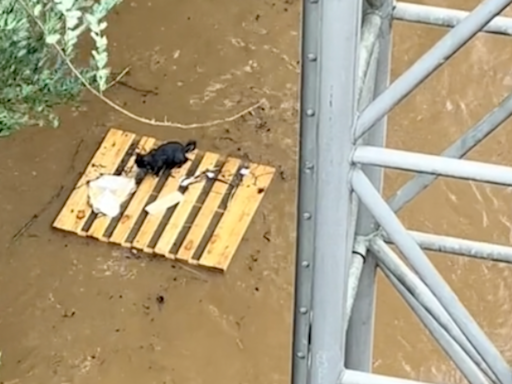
column 325, row 197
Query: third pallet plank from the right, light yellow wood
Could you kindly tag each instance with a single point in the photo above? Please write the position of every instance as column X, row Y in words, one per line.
column 179, row 217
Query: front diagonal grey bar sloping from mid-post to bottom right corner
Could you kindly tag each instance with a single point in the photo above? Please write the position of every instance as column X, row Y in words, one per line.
column 430, row 276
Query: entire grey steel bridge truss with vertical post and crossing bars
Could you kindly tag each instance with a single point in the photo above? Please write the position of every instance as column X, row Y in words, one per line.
column 344, row 224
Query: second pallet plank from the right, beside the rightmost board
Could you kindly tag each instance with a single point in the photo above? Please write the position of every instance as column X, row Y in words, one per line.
column 207, row 211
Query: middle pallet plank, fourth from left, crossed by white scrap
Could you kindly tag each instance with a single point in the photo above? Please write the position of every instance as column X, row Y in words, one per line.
column 151, row 222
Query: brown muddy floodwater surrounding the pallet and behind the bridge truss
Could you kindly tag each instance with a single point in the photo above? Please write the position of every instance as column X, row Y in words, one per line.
column 75, row 310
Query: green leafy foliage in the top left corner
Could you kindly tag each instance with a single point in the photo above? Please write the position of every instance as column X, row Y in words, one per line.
column 38, row 39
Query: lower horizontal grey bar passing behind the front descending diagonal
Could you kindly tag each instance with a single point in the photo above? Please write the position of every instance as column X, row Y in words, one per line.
column 463, row 247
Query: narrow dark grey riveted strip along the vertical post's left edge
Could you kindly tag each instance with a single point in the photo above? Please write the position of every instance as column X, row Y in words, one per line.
column 306, row 195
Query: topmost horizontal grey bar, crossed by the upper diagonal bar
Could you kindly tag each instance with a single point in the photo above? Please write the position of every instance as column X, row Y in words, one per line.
column 445, row 17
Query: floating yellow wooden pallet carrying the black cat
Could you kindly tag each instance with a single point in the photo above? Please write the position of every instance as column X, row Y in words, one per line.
column 205, row 228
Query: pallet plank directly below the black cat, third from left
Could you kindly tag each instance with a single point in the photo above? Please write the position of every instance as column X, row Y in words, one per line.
column 135, row 206
